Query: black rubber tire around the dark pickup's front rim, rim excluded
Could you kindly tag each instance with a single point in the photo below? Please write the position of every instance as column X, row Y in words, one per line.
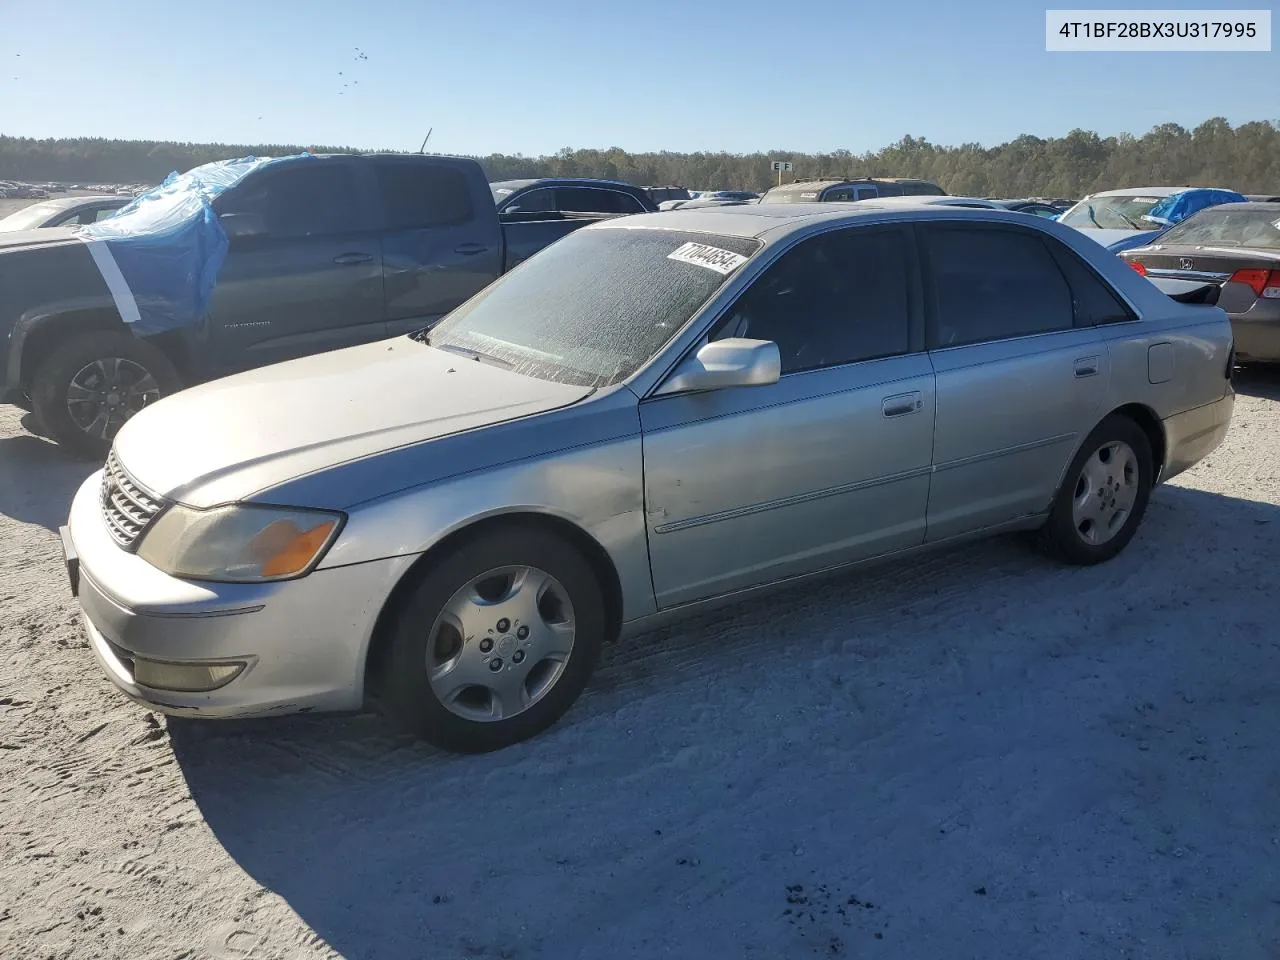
column 52, row 386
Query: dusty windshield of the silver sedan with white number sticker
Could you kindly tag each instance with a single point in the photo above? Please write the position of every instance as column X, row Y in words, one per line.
column 596, row 307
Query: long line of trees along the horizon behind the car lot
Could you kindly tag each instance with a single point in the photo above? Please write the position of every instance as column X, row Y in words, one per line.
column 1245, row 158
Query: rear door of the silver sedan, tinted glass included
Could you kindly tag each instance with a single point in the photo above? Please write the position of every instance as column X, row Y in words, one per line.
column 1021, row 381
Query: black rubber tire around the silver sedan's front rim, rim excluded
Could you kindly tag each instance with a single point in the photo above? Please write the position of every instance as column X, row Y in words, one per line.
column 404, row 692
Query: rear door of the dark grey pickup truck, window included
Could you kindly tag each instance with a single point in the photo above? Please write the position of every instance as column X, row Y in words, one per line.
column 441, row 245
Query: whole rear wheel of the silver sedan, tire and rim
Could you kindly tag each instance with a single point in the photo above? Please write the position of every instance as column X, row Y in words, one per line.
column 1104, row 496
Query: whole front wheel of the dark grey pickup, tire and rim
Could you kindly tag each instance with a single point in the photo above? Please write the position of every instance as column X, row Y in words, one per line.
column 92, row 364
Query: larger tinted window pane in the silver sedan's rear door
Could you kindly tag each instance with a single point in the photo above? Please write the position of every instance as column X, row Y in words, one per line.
column 993, row 285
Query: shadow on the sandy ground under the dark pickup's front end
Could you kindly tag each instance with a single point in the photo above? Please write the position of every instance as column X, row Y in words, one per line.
column 39, row 479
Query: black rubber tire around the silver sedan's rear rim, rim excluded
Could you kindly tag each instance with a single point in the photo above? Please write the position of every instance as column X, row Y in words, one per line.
column 1062, row 537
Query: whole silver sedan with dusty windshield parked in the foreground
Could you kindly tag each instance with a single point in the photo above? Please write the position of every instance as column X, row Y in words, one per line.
column 653, row 415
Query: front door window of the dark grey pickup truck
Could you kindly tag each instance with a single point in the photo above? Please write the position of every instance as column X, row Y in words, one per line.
column 308, row 199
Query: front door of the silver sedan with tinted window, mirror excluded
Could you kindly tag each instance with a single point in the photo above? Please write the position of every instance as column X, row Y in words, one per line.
column 831, row 464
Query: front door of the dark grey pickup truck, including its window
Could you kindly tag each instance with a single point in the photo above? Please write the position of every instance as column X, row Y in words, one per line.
column 314, row 282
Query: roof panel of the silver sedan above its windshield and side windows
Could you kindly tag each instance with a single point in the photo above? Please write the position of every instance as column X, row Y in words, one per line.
column 758, row 221
